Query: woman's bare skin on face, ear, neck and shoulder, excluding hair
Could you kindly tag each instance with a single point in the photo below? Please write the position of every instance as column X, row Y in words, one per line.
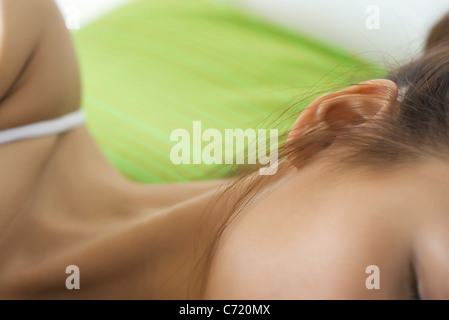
column 64, row 204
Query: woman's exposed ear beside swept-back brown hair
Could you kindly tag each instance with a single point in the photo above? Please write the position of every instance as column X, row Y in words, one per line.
column 351, row 107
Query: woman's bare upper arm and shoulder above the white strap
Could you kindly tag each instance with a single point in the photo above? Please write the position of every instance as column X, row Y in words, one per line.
column 40, row 78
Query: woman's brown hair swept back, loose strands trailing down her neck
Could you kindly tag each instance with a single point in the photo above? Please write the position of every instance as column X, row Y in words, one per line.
column 417, row 127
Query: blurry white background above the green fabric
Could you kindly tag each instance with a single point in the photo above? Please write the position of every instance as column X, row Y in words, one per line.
column 403, row 24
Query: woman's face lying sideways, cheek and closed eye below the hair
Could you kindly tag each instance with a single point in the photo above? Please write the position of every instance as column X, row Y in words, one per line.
column 318, row 244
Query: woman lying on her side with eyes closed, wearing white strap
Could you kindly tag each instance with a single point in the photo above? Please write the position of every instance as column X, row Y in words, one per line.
column 372, row 159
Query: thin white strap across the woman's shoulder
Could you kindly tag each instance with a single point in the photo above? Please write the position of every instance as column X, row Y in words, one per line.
column 44, row 128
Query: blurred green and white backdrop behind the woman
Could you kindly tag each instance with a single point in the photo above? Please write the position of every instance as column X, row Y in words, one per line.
column 150, row 67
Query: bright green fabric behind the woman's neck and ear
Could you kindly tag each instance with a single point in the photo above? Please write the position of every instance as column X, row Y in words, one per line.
column 154, row 66
